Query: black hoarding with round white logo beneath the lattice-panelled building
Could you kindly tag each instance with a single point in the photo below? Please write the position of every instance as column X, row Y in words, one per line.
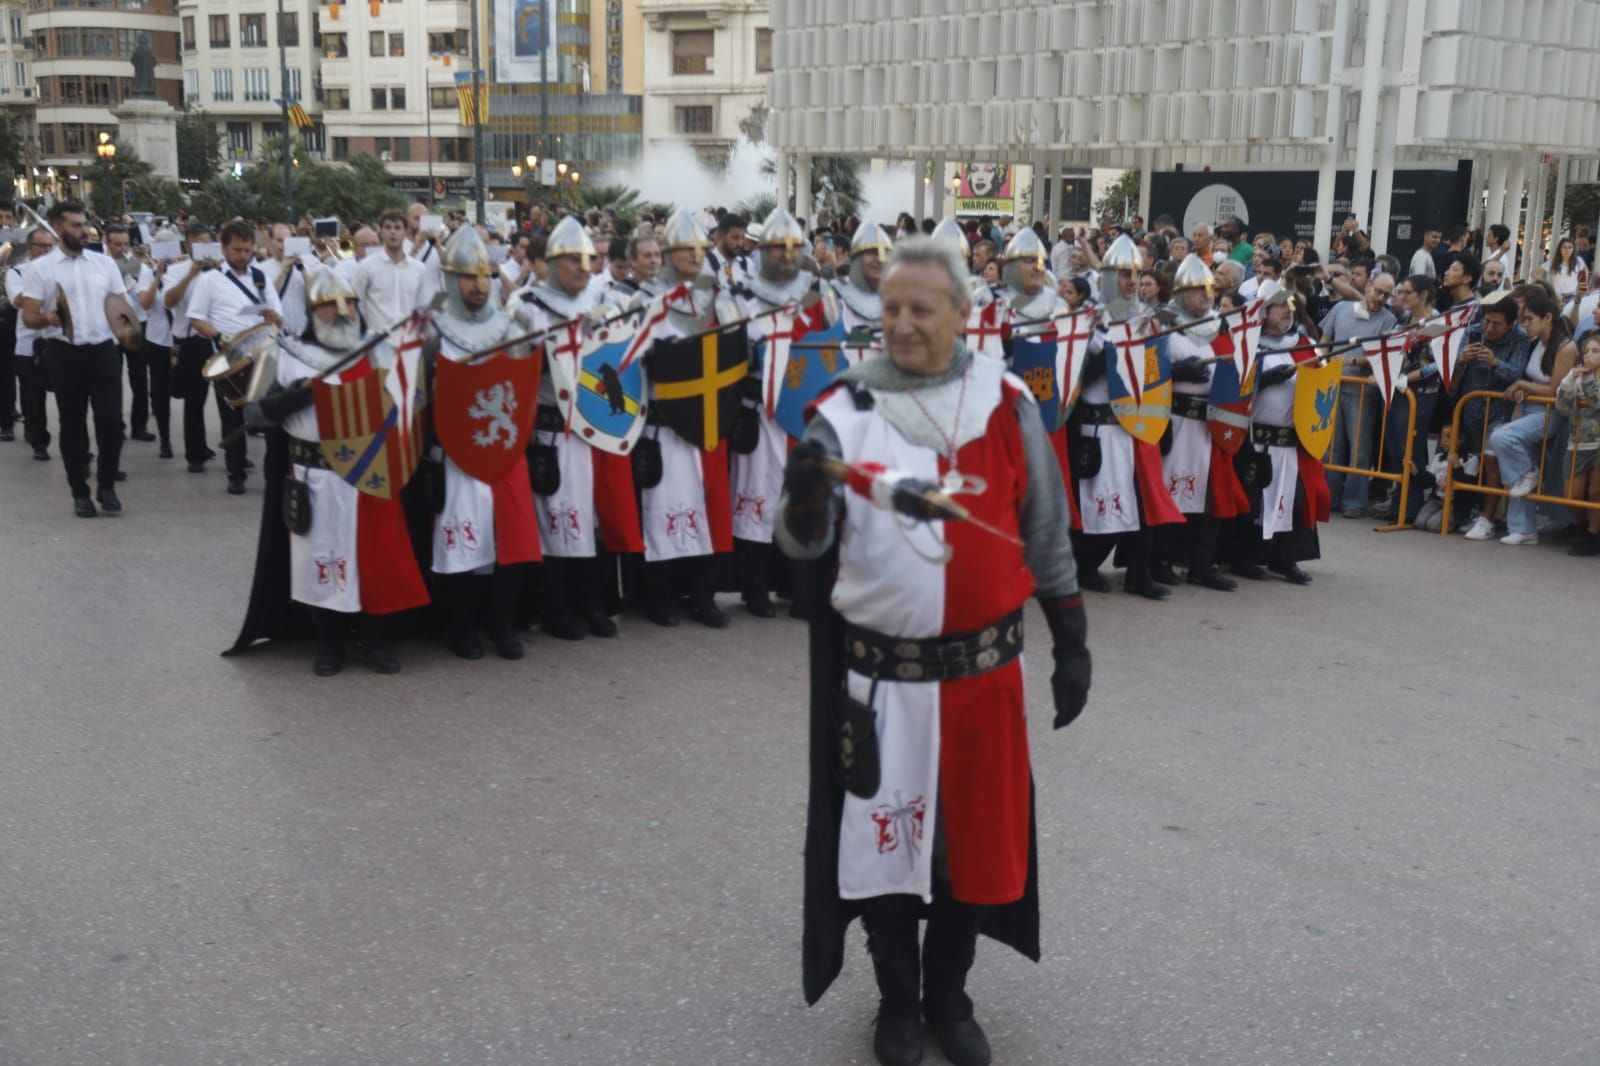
column 1284, row 202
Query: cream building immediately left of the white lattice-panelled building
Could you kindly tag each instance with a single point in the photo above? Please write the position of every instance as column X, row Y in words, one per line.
column 706, row 68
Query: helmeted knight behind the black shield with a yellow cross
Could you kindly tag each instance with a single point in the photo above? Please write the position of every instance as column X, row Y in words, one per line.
column 687, row 516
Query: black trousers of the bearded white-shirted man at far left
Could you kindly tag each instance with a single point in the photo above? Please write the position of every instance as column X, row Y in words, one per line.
column 84, row 377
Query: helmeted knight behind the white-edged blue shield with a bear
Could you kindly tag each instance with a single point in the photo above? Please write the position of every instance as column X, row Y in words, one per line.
column 585, row 497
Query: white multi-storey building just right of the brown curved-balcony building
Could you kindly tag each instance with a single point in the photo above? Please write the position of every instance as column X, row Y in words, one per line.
column 233, row 70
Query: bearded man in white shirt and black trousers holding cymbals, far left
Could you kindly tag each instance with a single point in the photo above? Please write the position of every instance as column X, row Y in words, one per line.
column 82, row 297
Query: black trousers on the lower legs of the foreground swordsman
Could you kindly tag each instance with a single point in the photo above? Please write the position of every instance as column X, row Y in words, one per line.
column 938, row 979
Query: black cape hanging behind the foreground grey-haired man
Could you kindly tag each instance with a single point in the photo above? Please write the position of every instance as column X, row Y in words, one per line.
column 828, row 916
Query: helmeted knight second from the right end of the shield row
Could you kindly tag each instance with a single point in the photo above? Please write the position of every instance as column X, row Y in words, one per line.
column 1199, row 478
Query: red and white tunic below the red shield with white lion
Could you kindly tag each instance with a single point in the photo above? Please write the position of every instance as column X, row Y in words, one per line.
column 482, row 524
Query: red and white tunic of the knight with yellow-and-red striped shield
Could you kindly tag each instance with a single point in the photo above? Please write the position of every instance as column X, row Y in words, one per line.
column 358, row 555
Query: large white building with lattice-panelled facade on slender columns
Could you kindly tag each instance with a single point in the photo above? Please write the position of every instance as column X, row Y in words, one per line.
column 1506, row 87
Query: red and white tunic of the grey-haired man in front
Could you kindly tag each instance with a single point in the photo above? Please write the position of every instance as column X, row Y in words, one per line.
column 956, row 748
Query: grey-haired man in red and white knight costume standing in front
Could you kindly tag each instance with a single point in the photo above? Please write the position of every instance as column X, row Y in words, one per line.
column 919, row 655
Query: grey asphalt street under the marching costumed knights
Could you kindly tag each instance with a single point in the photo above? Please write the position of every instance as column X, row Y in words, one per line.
column 1351, row 824
